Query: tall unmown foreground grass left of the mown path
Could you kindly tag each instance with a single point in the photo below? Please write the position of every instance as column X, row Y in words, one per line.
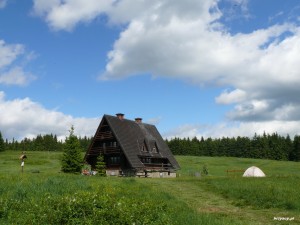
column 75, row 199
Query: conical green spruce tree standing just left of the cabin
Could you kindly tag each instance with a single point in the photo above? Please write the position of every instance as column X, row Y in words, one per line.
column 72, row 160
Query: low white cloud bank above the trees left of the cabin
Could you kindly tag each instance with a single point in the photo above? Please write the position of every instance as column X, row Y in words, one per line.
column 25, row 118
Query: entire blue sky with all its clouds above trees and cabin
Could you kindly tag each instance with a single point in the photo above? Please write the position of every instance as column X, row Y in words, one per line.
column 207, row 68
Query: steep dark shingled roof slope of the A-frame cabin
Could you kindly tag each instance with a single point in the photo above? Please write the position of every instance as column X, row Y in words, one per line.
column 132, row 135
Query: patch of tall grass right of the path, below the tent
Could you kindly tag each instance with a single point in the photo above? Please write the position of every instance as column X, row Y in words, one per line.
column 261, row 193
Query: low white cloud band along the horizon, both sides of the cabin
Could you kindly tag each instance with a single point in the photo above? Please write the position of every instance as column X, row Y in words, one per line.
column 25, row 118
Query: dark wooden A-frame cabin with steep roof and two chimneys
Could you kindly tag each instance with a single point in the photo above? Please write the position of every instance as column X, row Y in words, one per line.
column 131, row 148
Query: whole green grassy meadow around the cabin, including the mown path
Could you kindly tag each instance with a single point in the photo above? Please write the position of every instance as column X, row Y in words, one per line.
column 44, row 195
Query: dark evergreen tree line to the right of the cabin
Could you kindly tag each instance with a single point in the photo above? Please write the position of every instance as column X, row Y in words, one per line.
column 266, row 146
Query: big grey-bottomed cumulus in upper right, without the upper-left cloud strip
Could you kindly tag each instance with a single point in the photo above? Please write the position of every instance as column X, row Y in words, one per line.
column 262, row 66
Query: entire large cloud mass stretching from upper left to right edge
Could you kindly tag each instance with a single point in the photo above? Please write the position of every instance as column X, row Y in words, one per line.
column 187, row 40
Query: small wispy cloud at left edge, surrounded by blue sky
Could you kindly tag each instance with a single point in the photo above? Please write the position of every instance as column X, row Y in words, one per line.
column 11, row 73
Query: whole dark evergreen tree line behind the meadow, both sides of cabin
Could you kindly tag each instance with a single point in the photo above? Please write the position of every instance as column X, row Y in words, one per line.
column 266, row 146
